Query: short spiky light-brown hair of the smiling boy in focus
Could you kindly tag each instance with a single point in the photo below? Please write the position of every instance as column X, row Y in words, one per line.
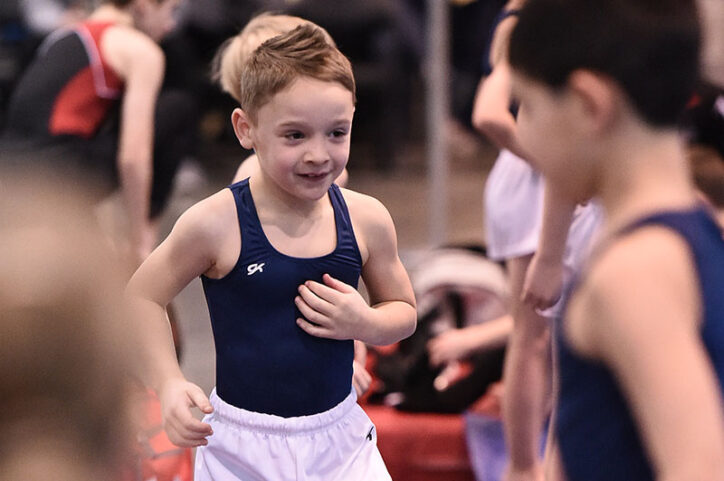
column 303, row 52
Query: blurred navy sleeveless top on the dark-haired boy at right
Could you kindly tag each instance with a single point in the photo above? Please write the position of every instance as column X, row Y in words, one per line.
column 597, row 434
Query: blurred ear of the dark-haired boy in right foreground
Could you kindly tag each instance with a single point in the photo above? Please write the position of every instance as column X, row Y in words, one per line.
column 597, row 98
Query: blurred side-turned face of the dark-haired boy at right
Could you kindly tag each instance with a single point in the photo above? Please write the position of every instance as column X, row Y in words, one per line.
column 549, row 128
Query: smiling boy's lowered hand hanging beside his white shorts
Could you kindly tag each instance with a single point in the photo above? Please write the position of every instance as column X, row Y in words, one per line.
column 178, row 396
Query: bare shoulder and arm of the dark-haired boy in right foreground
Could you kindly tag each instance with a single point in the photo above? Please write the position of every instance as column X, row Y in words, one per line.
column 643, row 321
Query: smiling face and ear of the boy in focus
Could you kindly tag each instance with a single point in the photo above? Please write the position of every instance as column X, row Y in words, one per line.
column 302, row 136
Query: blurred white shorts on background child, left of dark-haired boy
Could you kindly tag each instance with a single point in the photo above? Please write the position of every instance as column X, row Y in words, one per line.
column 513, row 206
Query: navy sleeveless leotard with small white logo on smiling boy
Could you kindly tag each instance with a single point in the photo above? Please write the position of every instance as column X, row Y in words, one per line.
column 265, row 362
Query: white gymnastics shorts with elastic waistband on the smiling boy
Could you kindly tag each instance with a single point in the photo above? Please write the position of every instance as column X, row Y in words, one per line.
column 335, row 445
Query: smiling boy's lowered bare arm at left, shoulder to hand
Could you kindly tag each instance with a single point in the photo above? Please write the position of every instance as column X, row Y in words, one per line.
column 188, row 252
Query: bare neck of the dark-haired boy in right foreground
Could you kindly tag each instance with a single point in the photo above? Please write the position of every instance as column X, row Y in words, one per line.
column 644, row 173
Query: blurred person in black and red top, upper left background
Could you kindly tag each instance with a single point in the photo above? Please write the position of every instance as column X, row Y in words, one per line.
column 91, row 99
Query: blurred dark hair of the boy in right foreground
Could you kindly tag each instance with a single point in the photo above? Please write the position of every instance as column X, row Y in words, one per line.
column 648, row 47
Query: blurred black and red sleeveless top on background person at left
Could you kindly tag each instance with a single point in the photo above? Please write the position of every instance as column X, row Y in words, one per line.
column 68, row 89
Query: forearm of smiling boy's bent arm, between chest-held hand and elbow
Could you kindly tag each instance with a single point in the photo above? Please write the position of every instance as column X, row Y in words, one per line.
column 389, row 322
